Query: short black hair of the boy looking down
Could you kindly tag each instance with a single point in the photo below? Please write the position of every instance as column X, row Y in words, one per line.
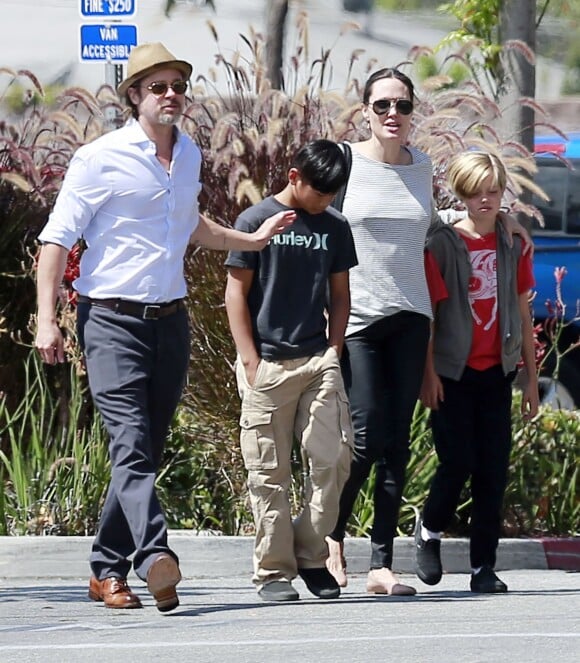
column 322, row 164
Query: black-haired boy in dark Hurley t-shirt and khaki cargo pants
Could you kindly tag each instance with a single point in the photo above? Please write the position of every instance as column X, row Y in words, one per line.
column 288, row 307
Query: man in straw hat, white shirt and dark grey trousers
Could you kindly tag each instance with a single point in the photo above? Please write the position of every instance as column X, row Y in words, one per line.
column 132, row 196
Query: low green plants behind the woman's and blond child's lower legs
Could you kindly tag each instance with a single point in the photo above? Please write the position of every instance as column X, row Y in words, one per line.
column 542, row 496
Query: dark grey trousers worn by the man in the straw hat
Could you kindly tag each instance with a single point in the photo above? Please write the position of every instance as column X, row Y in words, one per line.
column 136, row 371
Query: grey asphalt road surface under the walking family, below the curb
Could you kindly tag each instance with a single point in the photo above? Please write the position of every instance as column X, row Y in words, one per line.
column 221, row 619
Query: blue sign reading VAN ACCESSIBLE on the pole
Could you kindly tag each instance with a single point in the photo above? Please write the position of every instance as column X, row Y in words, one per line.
column 107, row 43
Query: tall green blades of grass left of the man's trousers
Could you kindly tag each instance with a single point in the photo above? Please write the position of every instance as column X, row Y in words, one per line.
column 55, row 469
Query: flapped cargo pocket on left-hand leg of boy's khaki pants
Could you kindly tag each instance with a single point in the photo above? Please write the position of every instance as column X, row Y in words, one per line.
column 257, row 441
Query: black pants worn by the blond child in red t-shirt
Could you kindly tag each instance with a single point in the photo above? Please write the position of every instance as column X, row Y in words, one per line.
column 472, row 435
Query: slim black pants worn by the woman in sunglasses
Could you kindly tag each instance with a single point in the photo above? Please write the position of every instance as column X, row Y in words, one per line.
column 382, row 369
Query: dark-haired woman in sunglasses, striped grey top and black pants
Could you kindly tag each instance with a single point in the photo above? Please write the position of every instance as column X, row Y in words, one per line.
column 388, row 202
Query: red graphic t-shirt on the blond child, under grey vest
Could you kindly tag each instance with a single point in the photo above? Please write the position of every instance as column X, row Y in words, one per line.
column 486, row 342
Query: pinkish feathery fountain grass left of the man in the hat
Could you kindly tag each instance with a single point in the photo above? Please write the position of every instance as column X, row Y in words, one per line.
column 35, row 150
